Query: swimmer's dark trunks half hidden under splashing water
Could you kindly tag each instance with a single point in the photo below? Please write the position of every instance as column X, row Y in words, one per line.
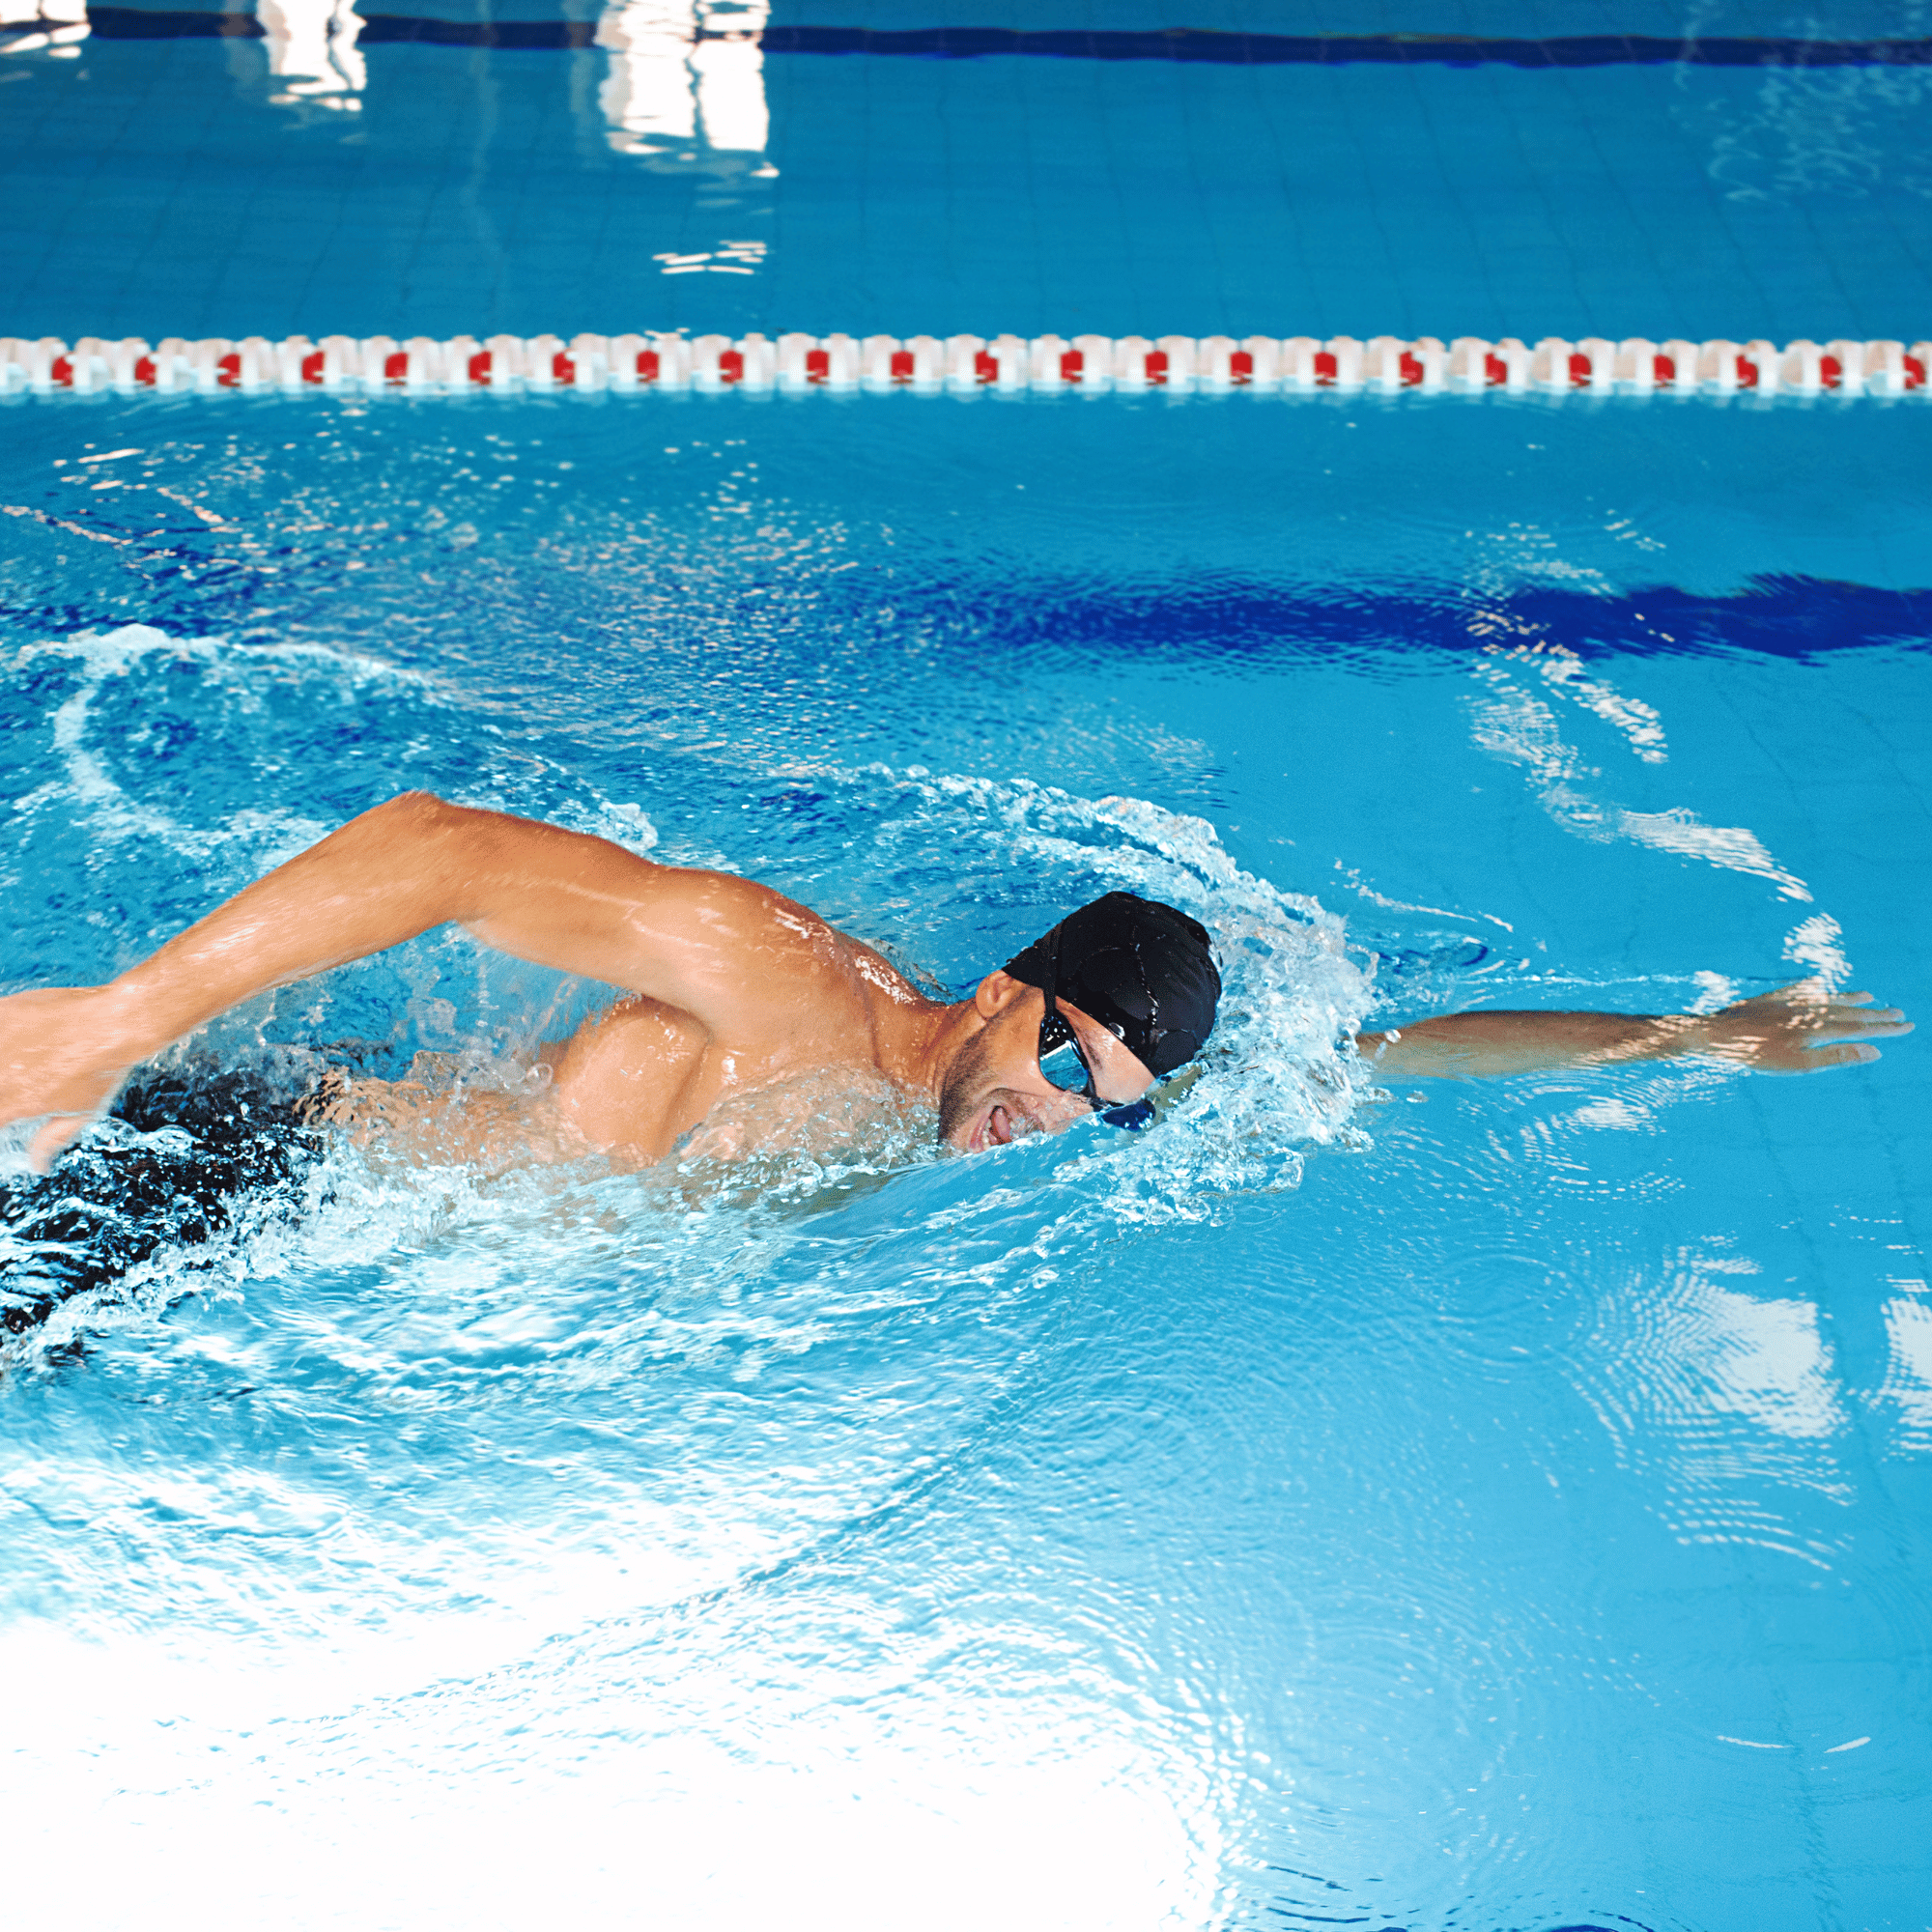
column 183, row 1158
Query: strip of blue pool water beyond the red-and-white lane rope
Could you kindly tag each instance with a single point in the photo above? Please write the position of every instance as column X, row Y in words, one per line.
column 706, row 167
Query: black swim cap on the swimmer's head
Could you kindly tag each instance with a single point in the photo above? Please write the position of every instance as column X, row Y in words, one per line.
column 1145, row 971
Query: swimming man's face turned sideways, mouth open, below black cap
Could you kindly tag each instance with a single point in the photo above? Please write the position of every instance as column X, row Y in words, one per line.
column 996, row 1093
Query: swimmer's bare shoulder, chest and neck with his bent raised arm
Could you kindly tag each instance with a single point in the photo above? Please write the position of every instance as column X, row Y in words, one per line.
column 729, row 986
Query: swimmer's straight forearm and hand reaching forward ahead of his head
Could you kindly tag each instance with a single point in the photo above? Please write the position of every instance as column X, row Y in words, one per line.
column 1796, row 1031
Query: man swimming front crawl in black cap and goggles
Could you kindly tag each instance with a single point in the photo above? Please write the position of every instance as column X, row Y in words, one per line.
column 733, row 992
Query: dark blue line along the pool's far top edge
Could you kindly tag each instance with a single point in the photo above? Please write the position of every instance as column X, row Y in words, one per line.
column 1176, row 43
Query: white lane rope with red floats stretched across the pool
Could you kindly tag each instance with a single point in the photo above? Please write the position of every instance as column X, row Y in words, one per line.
column 930, row 366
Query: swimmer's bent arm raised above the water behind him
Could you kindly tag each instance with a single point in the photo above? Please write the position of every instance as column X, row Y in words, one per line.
column 718, row 948
